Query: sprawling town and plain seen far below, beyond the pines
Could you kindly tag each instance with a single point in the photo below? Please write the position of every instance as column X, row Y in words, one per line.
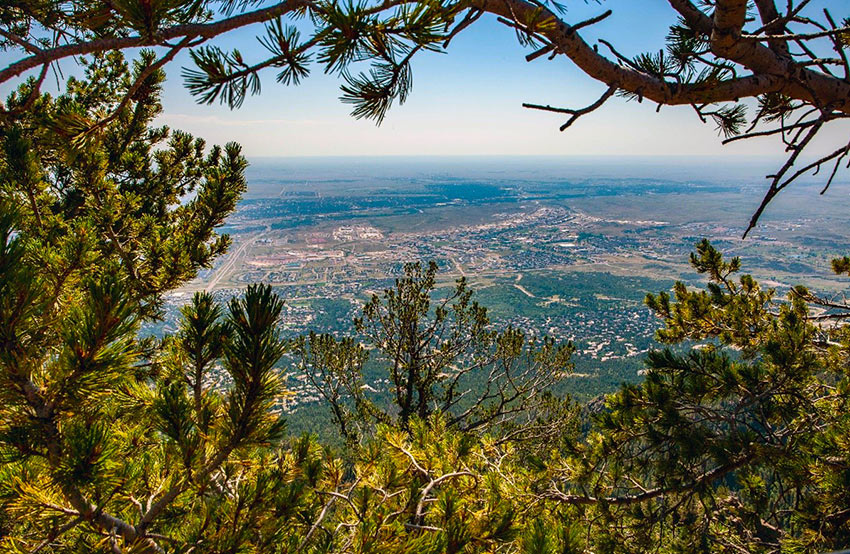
column 569, row 260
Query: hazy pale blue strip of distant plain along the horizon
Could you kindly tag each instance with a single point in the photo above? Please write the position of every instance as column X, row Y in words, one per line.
column 277, row 177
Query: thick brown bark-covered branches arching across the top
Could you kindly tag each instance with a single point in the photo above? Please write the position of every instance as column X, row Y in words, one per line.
column 772, row 72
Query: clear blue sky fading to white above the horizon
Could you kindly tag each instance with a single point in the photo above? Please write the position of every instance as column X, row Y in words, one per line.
column 468, row 102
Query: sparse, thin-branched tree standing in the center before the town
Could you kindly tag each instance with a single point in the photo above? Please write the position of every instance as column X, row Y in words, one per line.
column 440, row 354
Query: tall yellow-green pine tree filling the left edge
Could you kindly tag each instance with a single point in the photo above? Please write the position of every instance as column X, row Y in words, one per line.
column 108, row 440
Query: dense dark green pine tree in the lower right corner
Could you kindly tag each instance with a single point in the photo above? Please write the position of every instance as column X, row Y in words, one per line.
column 734, row 445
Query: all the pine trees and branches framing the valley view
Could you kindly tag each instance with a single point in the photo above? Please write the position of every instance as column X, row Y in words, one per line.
column 111, row 443
